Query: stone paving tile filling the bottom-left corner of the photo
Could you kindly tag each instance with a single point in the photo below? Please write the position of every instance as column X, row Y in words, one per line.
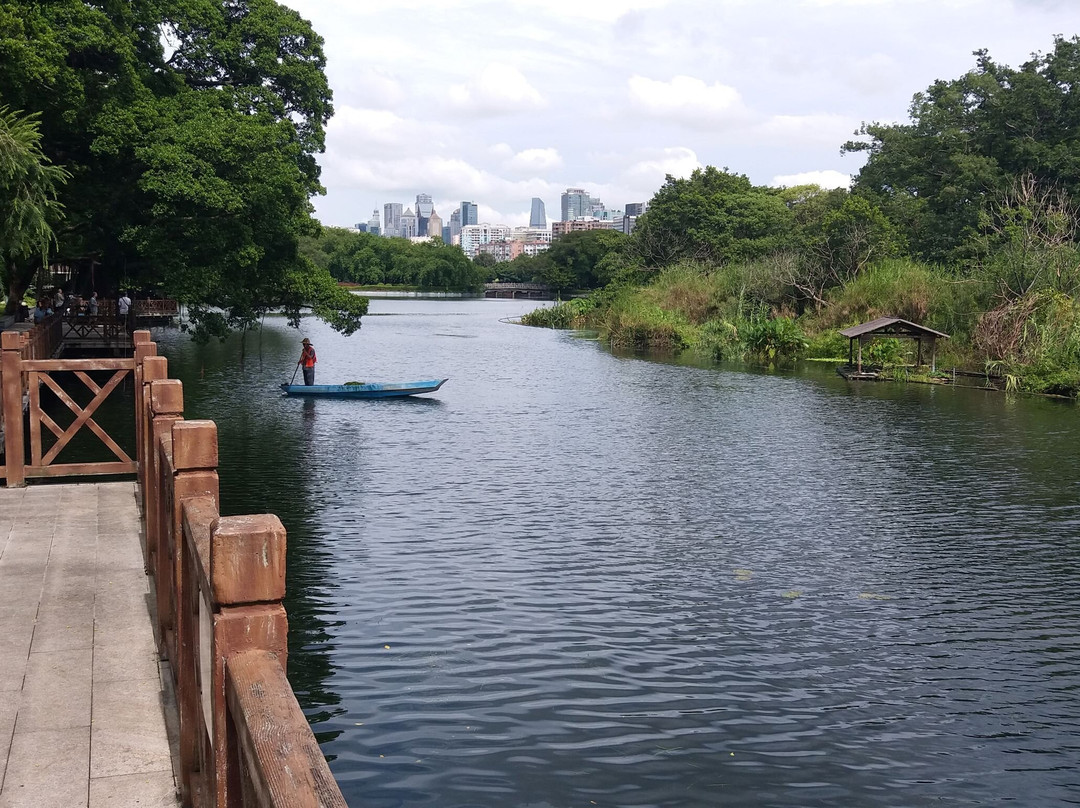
column 48, row 770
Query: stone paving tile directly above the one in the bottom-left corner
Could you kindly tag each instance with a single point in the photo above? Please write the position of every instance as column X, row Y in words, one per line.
column 57, row 691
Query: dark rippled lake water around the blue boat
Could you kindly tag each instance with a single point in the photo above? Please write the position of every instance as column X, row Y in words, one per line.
column 572, row 578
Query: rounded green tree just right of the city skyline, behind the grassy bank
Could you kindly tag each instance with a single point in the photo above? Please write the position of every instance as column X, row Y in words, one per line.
column 713, row 217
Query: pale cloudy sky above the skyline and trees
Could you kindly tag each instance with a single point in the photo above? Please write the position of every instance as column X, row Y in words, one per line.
column 496, row 103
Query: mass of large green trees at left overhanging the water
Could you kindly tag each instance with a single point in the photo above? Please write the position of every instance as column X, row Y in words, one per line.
column 187, row 133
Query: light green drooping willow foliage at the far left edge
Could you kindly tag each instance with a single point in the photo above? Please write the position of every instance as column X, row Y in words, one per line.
column 29, row 207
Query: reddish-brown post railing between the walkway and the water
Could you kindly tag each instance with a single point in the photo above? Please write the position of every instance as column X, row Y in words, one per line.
column 220, row 584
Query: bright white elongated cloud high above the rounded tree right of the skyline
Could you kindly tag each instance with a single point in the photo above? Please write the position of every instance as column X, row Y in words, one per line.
column 687, row 100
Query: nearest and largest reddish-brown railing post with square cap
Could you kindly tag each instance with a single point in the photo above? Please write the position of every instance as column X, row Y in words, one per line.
column 248, row 584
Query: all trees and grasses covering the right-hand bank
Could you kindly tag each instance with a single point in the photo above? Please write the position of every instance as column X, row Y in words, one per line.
column 965, row 220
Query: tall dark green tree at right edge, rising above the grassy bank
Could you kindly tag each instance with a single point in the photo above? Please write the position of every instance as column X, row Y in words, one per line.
column 967, row 143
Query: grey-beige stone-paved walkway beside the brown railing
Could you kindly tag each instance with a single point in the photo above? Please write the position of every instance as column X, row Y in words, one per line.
column 82, row 701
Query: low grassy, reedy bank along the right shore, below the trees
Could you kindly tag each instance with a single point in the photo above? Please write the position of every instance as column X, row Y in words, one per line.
column 746, row 313
